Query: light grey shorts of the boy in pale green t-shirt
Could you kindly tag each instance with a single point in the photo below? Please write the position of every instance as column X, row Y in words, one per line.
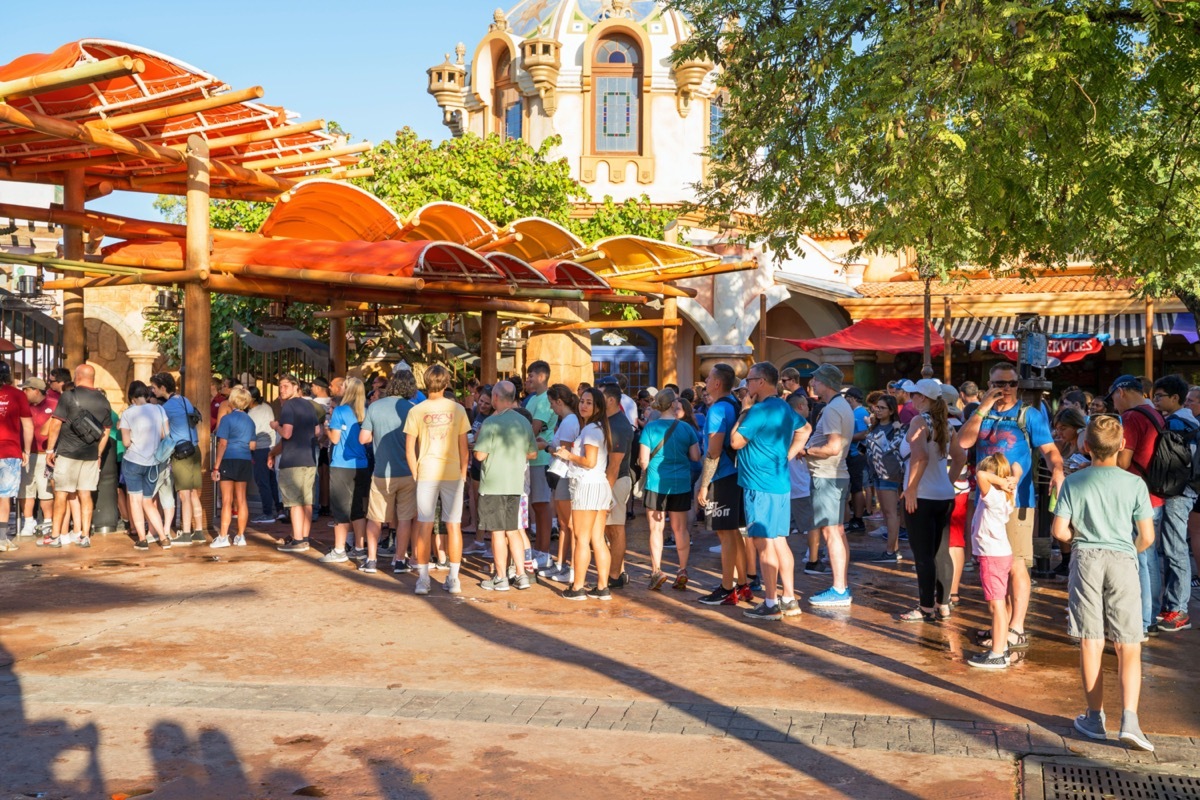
column 1105, row 597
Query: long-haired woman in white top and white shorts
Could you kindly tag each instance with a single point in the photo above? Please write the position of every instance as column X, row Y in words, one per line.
column 591, row 496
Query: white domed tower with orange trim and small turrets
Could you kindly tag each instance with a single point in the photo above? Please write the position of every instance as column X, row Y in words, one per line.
column 599, row 75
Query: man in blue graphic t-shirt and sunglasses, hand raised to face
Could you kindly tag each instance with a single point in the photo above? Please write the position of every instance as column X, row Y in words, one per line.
column 997, row 428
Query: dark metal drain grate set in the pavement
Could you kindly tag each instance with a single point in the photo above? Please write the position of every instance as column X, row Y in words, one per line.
column 1063, row 780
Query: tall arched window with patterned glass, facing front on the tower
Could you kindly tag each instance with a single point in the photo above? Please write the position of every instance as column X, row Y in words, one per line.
column 617, row 124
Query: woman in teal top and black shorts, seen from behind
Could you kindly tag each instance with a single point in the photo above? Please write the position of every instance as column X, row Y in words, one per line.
column 669, row 446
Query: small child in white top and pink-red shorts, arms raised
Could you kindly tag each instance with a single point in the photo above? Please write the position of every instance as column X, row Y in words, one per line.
column 989, row 539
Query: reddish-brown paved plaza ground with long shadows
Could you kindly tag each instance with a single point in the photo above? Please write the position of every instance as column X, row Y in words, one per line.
column 250, row 673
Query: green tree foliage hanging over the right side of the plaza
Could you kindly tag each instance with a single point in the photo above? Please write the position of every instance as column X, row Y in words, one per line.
column 985, row 134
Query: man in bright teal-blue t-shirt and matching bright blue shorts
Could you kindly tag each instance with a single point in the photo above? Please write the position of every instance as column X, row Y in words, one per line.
column 767, row 436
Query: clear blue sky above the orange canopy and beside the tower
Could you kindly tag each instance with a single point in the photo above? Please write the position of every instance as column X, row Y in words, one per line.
column 361, row 63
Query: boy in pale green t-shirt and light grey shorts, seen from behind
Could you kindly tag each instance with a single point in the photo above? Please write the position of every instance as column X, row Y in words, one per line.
column 1096, row 510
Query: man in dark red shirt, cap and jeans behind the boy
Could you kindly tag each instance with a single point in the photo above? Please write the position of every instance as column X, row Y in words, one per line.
column 1142, row 424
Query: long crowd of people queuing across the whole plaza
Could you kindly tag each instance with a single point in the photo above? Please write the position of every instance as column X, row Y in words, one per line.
column 956, row 473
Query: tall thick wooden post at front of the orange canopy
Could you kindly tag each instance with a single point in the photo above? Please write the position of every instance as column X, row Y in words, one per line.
column 199, row 304
